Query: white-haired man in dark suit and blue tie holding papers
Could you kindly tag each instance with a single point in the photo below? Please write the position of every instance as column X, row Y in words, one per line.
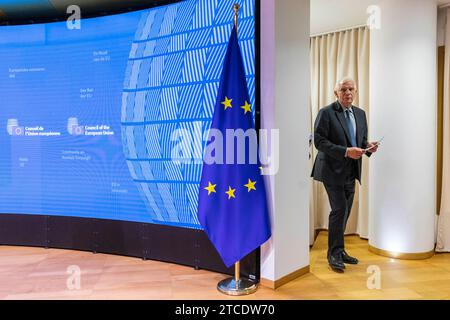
column 340, row 135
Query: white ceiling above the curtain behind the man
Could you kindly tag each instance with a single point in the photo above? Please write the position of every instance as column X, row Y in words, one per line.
column 325, row 15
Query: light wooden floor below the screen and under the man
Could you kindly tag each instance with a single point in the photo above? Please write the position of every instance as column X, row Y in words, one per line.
column 35, row 273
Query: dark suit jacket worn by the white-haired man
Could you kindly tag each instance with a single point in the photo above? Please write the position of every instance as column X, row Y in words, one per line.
column 332, row 138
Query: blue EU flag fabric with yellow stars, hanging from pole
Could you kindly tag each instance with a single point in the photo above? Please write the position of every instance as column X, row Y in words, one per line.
column 232, row 206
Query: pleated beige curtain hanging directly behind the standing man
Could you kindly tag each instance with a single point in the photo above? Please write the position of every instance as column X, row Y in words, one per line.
column 334, row 56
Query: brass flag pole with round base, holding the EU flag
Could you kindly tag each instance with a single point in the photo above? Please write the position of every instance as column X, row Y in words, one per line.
column 237, row 286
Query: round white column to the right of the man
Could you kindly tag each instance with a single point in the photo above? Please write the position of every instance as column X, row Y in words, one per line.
column 403, row 109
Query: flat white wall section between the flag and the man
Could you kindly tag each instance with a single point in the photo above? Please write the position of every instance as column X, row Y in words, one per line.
column 285, row 106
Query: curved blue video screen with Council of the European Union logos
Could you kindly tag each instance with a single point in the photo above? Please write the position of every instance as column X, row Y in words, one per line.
column 88, row 115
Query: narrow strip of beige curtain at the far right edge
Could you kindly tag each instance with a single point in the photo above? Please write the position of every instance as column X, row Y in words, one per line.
column 443, row 234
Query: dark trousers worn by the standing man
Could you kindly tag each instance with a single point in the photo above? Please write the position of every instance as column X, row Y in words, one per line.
column 341, row 202
